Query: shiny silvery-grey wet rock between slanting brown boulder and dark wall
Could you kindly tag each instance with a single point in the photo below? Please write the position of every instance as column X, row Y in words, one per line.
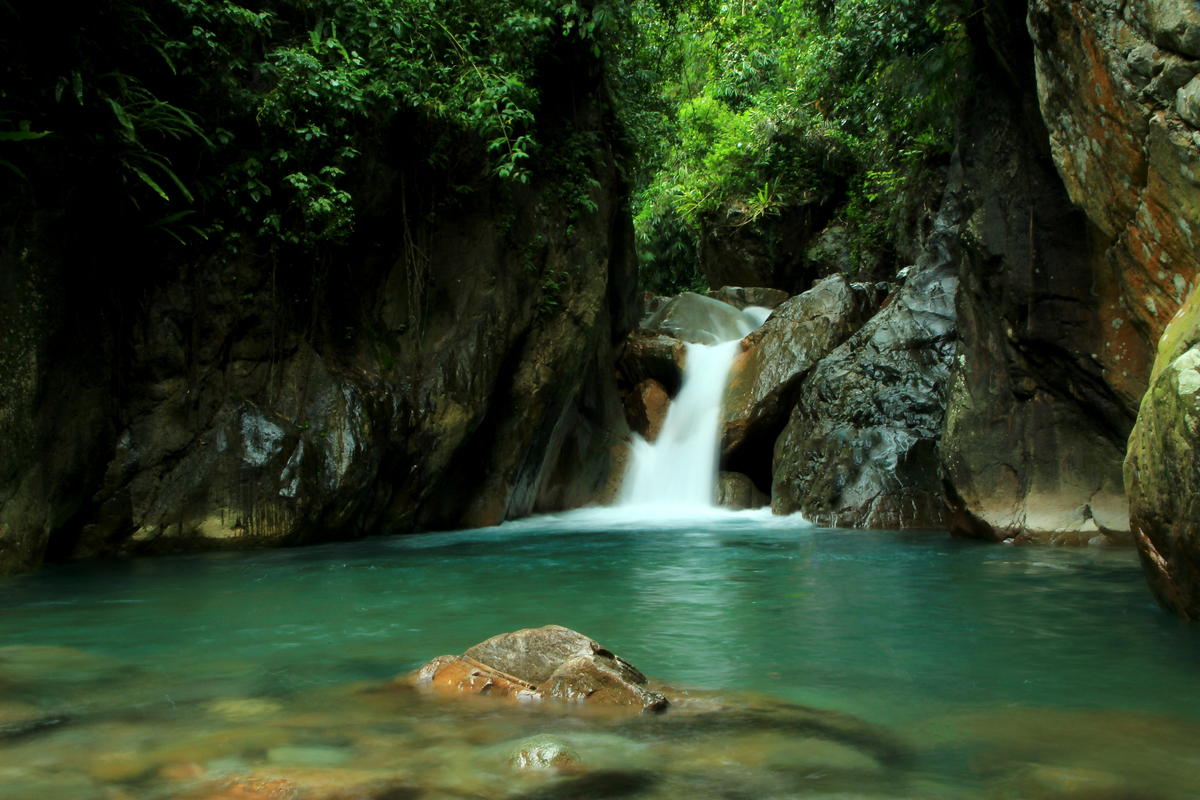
column 861, row 447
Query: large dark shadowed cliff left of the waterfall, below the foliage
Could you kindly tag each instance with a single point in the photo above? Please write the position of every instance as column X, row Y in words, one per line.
column 439, row 371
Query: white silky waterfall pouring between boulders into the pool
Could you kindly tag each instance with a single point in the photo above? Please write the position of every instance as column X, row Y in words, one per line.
column 680, row 468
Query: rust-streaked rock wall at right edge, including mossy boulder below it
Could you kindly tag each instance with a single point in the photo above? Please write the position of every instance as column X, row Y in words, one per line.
column 1118, row 86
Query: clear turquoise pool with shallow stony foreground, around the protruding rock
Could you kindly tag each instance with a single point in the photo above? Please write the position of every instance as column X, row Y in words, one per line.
column 850, row 664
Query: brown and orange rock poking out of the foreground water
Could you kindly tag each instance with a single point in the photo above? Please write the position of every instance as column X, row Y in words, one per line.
column 545, row 664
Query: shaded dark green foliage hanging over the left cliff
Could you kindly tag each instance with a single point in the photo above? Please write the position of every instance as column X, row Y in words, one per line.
column 214, row 115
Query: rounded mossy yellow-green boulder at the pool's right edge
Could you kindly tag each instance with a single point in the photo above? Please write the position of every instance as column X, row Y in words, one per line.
column 1162, row 472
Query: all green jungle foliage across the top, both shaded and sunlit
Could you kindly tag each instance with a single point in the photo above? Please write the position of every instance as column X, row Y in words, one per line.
column 208, row 117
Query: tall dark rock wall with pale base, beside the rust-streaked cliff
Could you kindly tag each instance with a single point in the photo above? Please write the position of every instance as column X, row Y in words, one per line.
column 1036, row 423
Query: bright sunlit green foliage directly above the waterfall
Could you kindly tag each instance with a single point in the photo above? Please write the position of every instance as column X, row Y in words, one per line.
column 764, row 105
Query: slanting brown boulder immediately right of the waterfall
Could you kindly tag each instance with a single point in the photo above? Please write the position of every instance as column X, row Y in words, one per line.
column 766, row 375
